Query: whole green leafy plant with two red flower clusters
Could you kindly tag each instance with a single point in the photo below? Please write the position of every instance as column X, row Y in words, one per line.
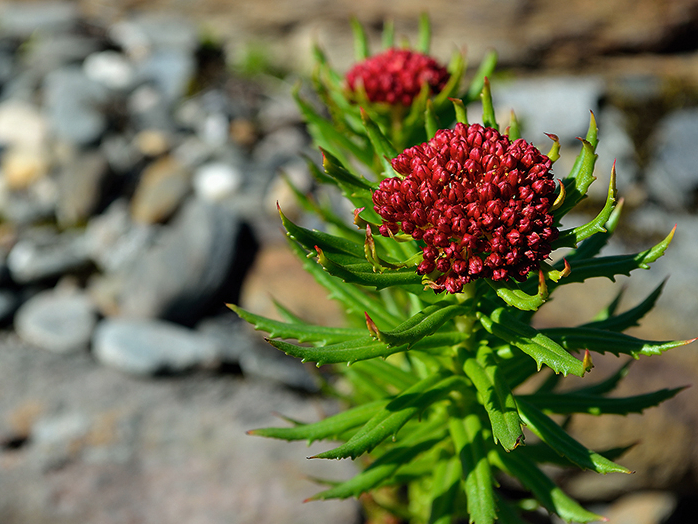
column 440, row 271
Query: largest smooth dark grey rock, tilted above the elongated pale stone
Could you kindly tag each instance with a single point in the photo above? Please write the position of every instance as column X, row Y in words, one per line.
column 188, row 269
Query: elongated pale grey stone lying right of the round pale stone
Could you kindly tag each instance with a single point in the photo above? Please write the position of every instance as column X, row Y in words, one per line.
column 146, row 347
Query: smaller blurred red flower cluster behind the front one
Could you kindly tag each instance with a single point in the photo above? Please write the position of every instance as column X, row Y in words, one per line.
column 397, row 75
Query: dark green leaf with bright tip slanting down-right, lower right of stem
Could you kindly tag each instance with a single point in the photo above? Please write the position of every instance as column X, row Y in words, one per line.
column 557, row 438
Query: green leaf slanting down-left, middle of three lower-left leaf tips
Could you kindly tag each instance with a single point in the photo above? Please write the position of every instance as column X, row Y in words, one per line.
column 401, row 409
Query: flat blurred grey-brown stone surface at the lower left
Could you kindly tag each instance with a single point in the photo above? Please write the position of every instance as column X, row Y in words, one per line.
column 108, row 448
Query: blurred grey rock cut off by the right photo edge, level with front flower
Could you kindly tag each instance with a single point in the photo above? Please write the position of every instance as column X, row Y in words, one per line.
column 672, row 176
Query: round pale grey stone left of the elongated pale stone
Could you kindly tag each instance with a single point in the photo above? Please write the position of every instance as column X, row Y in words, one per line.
column 58, row 321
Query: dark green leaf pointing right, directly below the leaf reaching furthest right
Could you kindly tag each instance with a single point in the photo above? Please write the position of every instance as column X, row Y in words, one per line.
column 567, row 403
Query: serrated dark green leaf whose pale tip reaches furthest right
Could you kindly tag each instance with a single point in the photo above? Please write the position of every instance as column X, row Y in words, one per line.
column 602, row 341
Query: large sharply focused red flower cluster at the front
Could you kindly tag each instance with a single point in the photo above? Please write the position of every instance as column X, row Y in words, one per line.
column 478, row 201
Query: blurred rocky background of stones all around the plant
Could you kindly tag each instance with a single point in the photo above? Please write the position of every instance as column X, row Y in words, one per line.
column 141, row 151
